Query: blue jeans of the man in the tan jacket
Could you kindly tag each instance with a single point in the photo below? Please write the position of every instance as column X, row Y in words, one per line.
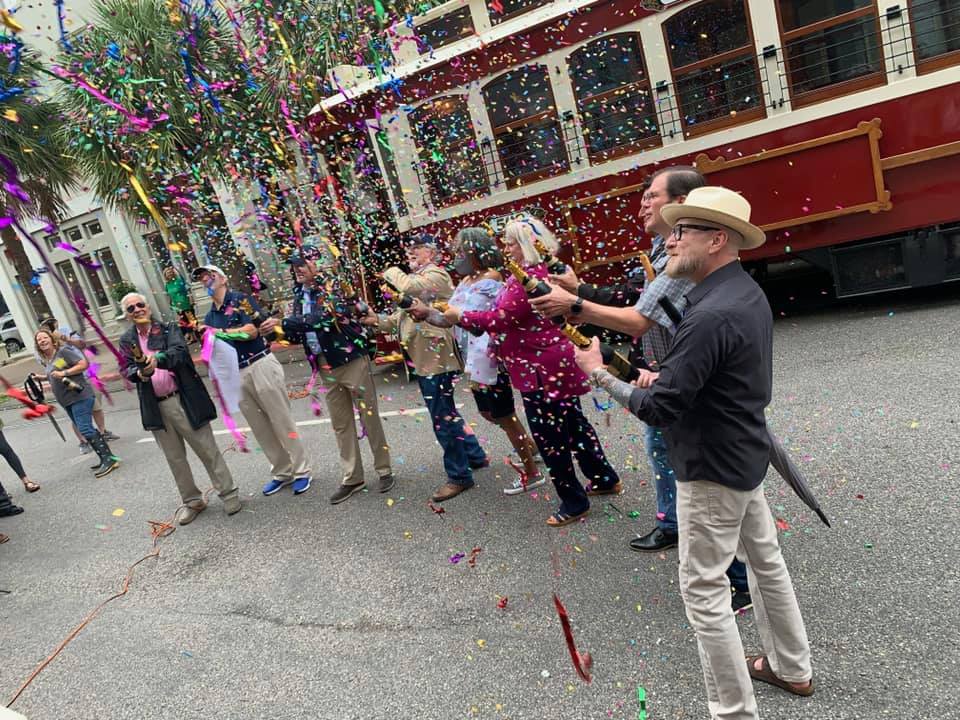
column 461, row 450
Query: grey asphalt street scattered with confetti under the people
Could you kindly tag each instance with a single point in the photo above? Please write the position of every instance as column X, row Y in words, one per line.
column 380, row 608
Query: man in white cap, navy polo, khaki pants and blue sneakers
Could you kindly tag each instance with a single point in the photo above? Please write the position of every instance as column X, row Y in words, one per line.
column 263, row 389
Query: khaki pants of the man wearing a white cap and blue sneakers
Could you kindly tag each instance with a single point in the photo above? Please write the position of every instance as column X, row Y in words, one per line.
column 266, row 406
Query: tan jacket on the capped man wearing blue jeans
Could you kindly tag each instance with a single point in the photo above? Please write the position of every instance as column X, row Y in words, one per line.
column 433, row 350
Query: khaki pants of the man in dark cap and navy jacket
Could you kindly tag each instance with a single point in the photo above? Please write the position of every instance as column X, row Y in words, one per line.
column 344, row 385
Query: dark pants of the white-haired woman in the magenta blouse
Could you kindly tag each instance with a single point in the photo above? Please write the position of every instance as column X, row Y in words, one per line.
column 561, row 431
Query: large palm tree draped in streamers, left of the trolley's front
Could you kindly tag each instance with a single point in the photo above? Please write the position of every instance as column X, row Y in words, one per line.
column 168, row 73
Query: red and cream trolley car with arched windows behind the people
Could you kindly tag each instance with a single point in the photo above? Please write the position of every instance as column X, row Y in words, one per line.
column 838, row 119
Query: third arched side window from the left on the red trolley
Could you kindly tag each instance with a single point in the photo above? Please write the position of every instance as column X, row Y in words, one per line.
column 616, row 108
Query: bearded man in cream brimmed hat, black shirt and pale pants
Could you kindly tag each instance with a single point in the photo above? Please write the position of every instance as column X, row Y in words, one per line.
column 710, row 395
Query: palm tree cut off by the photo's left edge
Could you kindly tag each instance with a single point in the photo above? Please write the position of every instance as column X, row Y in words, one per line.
column 30, row 137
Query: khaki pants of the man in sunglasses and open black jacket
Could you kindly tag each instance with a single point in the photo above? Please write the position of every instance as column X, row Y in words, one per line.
column 171, row 440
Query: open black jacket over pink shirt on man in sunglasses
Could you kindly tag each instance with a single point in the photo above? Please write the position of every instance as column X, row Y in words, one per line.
column 193, row 397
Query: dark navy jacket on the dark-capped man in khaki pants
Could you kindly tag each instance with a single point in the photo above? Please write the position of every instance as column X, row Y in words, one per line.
column 339, row 335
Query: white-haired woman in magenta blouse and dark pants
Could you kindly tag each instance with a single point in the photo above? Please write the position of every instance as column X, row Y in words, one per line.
column 540, row 362
